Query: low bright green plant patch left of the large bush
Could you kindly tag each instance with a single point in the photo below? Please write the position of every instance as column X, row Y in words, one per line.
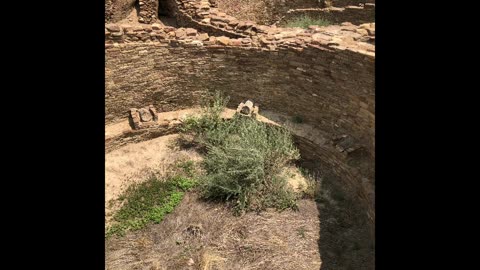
column 149, row 202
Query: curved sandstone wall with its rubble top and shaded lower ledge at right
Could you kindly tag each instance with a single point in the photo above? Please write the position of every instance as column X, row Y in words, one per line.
column 323, row 75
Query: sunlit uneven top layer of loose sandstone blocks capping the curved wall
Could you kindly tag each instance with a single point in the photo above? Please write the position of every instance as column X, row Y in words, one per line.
column 346, row 36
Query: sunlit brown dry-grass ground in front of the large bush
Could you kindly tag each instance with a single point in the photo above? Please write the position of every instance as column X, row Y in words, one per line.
column 202, row 235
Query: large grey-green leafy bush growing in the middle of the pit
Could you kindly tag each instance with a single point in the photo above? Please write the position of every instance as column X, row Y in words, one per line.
column 244, row 159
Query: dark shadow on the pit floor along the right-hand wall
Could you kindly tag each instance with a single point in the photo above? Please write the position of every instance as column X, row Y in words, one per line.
column 346, row 238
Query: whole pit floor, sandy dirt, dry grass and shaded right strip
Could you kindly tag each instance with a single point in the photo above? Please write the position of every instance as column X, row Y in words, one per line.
column 330, row 233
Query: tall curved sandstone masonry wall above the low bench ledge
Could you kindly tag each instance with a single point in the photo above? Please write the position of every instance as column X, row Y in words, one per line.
column 332, row 70
